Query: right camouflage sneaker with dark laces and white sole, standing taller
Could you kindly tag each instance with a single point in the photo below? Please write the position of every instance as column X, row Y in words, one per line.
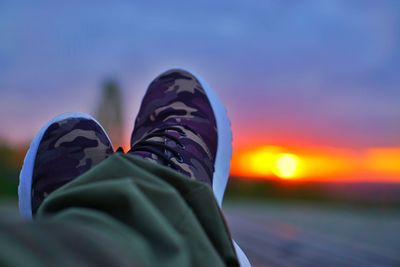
column 183, row 125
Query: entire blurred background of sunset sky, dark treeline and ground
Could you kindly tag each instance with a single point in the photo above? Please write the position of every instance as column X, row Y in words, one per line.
column 312, row 89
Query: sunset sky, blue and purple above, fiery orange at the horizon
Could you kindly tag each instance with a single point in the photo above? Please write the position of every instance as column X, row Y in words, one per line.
column 310, row 85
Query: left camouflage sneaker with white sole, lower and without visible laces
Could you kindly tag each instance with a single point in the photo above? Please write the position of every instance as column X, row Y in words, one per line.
column 64, row 148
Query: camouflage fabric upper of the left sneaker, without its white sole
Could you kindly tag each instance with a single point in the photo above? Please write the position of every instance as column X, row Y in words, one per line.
column 68, row 149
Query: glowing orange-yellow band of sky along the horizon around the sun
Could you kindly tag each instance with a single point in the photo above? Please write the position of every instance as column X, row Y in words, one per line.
column 318, row 164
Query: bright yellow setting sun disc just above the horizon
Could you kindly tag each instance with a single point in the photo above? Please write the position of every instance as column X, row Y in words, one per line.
column 286, row 166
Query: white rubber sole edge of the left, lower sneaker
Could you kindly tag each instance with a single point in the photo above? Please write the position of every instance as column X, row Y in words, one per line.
column 26, row 174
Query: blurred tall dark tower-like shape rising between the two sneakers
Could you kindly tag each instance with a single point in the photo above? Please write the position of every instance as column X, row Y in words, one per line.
column 109, row 111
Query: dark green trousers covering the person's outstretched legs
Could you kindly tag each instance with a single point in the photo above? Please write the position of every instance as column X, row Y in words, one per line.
column 126, row 211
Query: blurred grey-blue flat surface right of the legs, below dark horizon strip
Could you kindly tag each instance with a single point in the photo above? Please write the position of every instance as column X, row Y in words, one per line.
column 280, row 235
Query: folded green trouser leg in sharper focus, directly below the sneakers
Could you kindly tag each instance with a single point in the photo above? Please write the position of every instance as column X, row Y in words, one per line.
column 156, row 214
